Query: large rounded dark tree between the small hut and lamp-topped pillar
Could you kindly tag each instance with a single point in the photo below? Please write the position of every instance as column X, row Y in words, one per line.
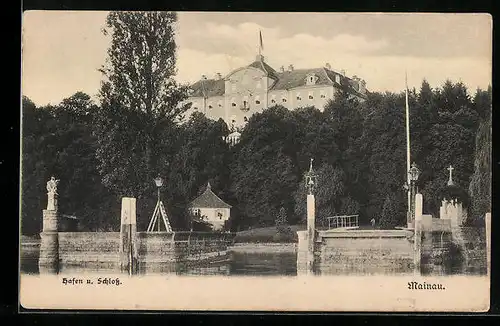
column 262, row 172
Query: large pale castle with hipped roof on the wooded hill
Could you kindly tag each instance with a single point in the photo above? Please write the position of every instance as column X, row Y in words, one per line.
column 255, row 87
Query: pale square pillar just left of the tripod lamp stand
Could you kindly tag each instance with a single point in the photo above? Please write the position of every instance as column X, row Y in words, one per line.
column 128, row 236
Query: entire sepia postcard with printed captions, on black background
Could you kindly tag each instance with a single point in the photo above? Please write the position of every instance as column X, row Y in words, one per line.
column 261, row 161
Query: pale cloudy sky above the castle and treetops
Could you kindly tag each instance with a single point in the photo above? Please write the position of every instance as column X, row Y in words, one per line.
column 62, row 50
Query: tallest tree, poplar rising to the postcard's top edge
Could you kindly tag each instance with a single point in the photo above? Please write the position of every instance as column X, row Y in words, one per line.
column 140, row 104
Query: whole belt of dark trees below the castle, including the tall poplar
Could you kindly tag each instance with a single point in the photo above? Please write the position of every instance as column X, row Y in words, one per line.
column 115, row 148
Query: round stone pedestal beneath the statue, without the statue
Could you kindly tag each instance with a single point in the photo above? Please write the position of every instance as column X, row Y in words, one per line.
column 48, row 261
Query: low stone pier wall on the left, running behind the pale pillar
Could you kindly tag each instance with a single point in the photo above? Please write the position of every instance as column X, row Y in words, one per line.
column 100, row 251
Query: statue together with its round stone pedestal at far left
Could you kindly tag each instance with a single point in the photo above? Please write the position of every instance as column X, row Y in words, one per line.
column 48, row 261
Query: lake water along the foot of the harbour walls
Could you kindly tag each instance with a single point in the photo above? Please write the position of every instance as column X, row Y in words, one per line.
column 463, row 254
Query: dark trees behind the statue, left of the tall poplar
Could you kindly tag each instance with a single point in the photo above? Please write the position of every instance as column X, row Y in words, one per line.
column 59, row 141
